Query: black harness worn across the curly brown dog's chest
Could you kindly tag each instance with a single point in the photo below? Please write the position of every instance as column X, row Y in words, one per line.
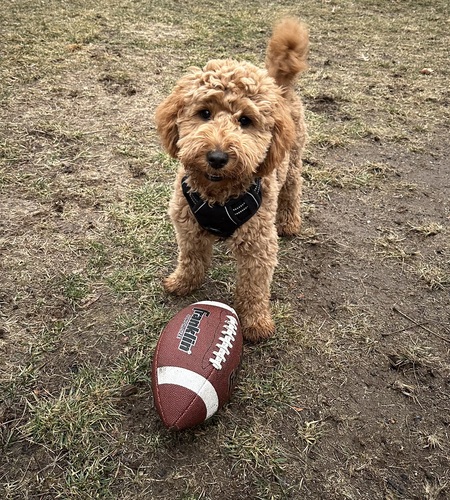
column 223, row 220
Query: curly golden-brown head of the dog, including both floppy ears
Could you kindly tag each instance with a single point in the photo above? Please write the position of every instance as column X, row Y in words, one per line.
column 226, row 123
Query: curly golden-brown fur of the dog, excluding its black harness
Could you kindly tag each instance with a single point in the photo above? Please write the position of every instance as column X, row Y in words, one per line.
column 254, row 118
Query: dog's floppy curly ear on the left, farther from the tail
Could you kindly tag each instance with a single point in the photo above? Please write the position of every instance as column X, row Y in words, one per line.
column 166, row 117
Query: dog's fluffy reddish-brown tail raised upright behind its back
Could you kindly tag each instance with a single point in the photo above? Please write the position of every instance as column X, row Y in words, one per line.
column 287, row 51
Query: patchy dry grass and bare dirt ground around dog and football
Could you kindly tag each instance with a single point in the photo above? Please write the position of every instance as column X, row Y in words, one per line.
column 351, row 398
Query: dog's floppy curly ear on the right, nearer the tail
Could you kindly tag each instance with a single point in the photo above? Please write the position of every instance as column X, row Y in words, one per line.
column 283, row 137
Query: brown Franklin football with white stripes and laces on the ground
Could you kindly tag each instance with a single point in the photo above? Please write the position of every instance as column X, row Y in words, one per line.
column 195, row 363
